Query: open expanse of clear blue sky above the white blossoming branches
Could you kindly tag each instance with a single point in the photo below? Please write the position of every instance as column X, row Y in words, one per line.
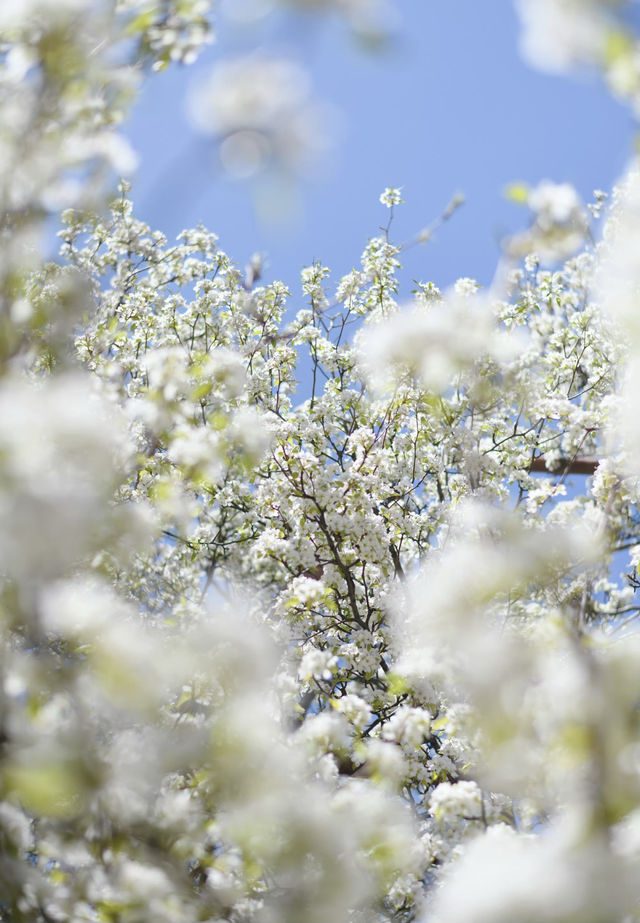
column 449, row 107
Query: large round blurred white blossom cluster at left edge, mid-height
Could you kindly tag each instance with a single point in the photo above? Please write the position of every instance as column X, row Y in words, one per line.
column 62, row 451
